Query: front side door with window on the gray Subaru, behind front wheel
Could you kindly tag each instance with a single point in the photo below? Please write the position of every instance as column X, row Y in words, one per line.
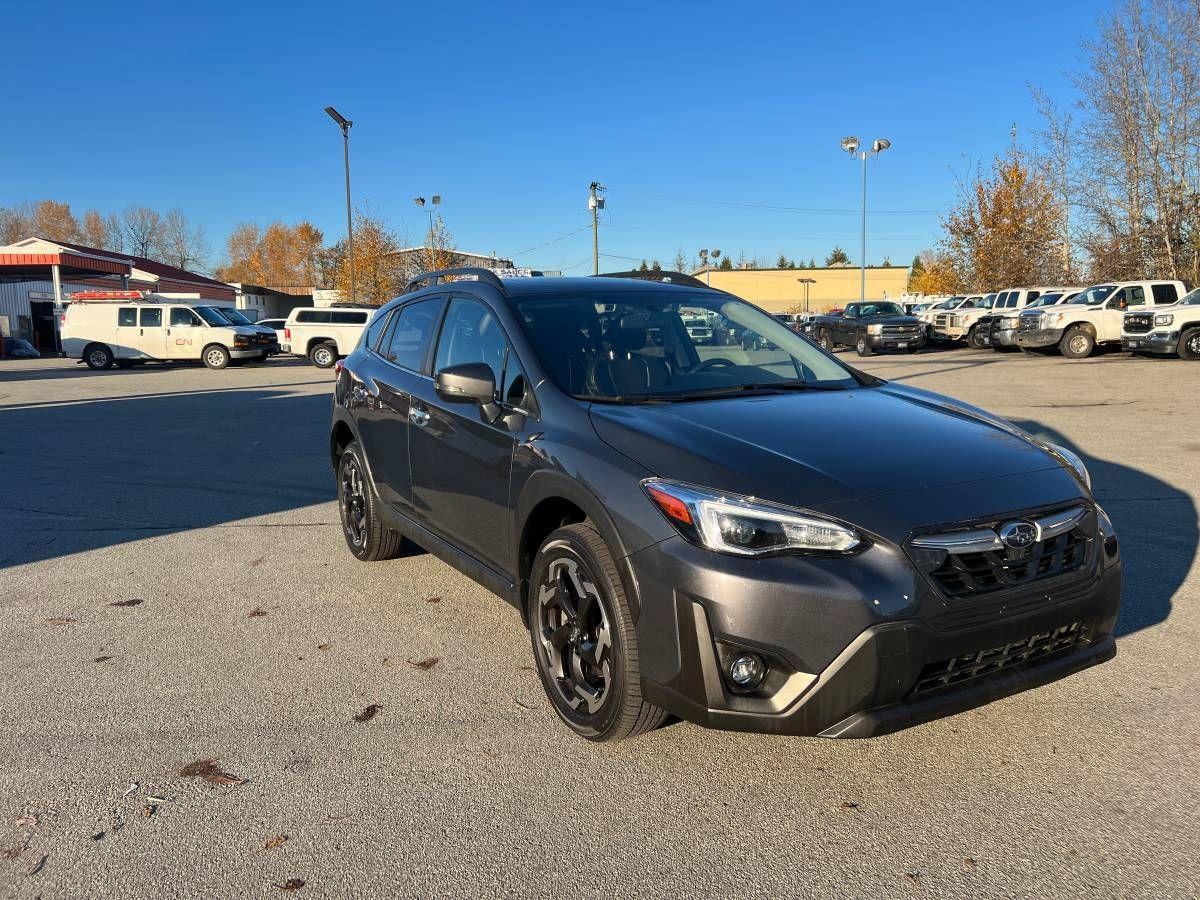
column 461, row 461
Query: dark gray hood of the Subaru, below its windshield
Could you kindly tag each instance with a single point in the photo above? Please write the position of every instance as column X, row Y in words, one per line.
column 821, row 449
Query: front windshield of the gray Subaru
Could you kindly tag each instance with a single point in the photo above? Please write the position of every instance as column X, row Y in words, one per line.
column 635, row 347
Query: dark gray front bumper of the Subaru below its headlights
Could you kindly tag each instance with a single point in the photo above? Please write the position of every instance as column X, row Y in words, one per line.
column 850, row 643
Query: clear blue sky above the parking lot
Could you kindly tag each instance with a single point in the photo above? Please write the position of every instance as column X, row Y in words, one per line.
column 695, row 116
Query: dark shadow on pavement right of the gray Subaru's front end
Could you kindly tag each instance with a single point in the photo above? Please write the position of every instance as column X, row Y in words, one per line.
column 1157, row 526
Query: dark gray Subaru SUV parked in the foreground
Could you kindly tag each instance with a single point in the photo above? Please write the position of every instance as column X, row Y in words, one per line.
column 743, row 535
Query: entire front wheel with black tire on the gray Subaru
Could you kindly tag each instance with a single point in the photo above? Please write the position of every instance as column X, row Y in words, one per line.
column 574, row 569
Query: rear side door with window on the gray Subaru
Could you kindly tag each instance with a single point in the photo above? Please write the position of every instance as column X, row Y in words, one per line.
column 392, row 373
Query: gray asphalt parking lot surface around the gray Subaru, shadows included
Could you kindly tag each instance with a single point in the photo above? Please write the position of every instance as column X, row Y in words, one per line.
column 259, row 641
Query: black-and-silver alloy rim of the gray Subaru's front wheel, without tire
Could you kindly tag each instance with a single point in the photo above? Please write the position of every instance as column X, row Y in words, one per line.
column 575, row 637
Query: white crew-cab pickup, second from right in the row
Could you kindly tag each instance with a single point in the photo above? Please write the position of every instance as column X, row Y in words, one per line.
column 1095, row 317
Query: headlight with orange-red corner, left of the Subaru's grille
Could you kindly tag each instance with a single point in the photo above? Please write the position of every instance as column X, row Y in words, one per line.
column 745, row 526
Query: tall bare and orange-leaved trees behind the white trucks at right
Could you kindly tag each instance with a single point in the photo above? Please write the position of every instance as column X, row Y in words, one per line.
column 1111, row 187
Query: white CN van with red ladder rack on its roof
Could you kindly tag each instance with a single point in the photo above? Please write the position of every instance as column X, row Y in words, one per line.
column 123, row 328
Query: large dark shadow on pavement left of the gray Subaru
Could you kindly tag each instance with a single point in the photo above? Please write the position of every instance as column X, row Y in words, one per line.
column 98, row 473
